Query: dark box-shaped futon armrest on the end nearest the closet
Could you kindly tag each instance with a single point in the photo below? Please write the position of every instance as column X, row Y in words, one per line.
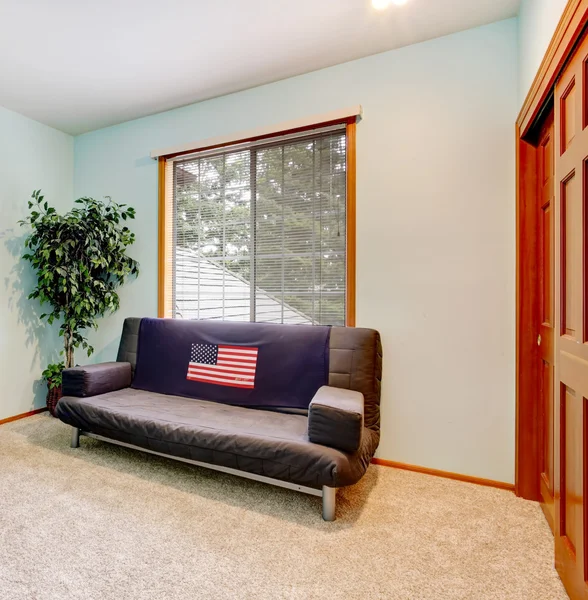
column 335, row 418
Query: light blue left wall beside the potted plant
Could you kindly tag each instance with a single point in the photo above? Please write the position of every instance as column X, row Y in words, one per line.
column 32, row 156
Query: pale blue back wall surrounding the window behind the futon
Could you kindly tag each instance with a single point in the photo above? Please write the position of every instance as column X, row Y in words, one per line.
column 435, row 228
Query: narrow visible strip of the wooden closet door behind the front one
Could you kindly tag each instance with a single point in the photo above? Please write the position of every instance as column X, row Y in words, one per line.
column 545, row 208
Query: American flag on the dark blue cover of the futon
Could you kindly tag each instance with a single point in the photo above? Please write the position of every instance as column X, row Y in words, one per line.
column 233, row 366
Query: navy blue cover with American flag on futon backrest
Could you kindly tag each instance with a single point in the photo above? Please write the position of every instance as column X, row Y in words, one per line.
column 247, row 364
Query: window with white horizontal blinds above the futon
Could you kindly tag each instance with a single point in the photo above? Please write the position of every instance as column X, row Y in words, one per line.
column 259, row 231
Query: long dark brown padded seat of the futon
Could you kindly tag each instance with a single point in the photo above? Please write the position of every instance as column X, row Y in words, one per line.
column 264, row 442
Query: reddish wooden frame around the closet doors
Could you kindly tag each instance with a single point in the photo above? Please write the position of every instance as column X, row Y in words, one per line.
column 528, row 445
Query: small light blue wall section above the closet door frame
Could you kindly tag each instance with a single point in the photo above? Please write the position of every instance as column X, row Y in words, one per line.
column 538, row 20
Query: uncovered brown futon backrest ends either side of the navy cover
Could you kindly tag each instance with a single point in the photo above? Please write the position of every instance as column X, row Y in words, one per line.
column 355, row 362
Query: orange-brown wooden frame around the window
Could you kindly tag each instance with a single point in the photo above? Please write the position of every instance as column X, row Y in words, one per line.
column 165, row 188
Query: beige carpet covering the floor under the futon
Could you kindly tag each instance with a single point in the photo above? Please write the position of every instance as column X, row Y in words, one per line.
column 107, row 523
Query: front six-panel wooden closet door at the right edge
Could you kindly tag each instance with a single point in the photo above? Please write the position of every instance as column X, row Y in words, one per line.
column 571, row 371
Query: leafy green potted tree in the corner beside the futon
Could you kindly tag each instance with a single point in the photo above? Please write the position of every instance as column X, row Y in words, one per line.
column 80, row 260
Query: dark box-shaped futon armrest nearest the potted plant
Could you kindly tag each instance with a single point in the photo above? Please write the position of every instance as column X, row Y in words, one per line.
column 94, row 380
